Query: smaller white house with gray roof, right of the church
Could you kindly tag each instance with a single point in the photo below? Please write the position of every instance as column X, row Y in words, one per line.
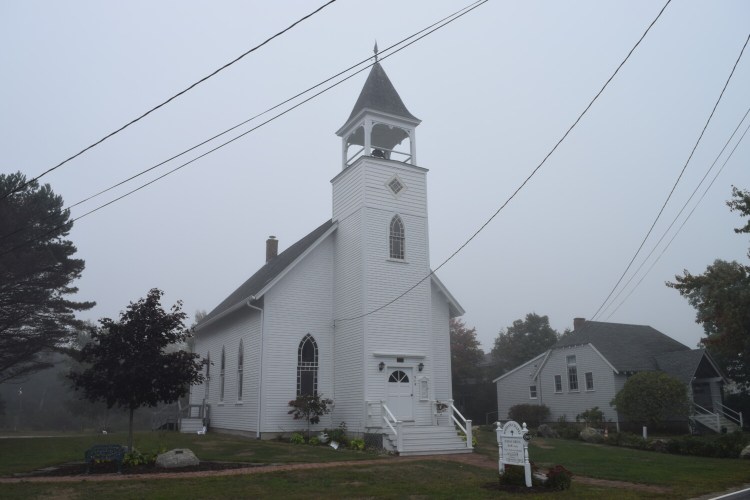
column 588, row 366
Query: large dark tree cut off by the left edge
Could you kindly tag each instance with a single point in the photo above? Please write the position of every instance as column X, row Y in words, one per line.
column 36, row 271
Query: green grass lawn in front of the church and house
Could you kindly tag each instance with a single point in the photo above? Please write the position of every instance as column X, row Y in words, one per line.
column 684, row 476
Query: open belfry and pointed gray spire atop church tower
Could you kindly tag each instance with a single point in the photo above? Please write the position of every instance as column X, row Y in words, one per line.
column 379, row 123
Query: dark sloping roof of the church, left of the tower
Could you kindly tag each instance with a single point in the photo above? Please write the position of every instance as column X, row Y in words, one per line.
column 268, row 272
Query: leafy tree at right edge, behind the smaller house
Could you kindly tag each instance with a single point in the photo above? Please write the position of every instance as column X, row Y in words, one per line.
column 721, row 297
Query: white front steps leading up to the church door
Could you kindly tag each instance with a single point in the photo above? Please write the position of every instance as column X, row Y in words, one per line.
column 428, row 440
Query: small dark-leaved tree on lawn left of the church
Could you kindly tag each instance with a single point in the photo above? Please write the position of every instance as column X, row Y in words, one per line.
column 130, row 365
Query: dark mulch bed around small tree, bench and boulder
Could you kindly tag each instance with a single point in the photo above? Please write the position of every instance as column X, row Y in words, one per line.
column 79, row 469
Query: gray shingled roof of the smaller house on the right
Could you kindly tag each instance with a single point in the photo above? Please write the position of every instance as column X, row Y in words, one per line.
column 626, row 347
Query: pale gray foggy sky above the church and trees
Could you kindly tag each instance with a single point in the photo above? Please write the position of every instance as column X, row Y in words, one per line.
column 495, row 91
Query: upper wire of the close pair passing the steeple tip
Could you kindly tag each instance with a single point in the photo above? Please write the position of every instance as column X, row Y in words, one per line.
column 286, row 101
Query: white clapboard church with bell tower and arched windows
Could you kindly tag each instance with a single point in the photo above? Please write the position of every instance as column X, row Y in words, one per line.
column 329, row 315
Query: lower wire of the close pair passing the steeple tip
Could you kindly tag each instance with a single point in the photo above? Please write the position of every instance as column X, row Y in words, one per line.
column 451, row 18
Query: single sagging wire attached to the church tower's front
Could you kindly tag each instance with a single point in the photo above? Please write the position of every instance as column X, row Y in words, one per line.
column 519, row 188
